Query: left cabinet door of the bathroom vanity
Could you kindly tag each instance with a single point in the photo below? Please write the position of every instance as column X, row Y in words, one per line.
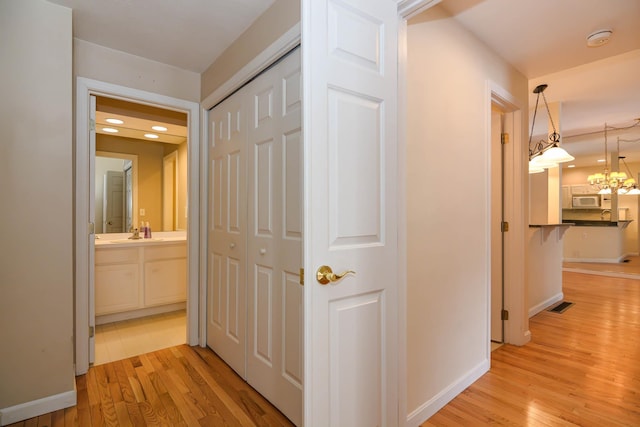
column 116, row 288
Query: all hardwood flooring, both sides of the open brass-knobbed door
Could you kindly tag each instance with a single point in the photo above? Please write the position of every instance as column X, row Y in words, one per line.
column 582, row 368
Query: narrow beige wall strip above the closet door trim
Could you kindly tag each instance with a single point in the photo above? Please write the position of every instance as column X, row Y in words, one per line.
column 272, row 24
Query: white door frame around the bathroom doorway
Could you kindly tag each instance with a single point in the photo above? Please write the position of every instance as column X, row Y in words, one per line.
column 85, row 237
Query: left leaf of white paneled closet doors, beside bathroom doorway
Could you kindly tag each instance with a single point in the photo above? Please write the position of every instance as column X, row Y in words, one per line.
column 227, row 235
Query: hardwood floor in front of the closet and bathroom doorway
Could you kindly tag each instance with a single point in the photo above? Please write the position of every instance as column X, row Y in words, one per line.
column 179, row 386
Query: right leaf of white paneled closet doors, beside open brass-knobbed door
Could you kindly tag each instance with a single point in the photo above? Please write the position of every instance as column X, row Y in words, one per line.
column 275, row 318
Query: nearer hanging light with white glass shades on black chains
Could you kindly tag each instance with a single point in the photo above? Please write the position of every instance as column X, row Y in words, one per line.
column 545, row 154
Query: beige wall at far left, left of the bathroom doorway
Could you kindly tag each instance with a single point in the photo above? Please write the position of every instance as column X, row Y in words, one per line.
column 36, row 164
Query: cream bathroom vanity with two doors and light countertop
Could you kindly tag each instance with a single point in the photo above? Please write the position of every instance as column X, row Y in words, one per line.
column 135, row 278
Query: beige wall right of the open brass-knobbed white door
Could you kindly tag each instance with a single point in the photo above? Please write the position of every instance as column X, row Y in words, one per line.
column 447, row 201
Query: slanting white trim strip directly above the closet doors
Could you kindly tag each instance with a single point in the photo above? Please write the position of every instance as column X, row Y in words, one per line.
column 271, row 54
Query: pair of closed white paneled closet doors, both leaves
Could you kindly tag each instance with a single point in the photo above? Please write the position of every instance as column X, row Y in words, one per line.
column 255, row 296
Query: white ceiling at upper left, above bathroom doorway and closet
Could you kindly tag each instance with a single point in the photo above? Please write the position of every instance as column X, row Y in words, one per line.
column 188, row 34
